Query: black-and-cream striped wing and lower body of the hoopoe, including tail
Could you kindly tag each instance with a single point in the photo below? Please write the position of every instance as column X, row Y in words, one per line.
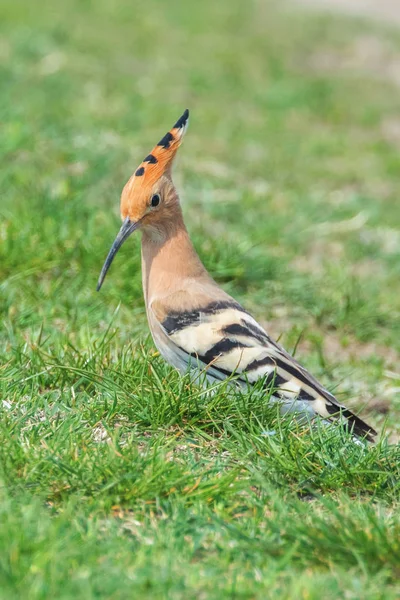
column 225, row 340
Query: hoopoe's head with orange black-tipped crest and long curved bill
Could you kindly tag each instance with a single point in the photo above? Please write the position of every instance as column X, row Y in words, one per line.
column 149, row 198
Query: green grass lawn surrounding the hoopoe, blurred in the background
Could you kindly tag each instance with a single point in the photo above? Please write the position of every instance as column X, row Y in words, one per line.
column 119, row 478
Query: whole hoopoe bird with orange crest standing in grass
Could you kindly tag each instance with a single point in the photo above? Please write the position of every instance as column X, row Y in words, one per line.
column 194, row 323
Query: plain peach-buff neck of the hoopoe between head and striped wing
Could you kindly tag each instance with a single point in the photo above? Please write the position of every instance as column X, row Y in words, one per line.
column 169, row 260
